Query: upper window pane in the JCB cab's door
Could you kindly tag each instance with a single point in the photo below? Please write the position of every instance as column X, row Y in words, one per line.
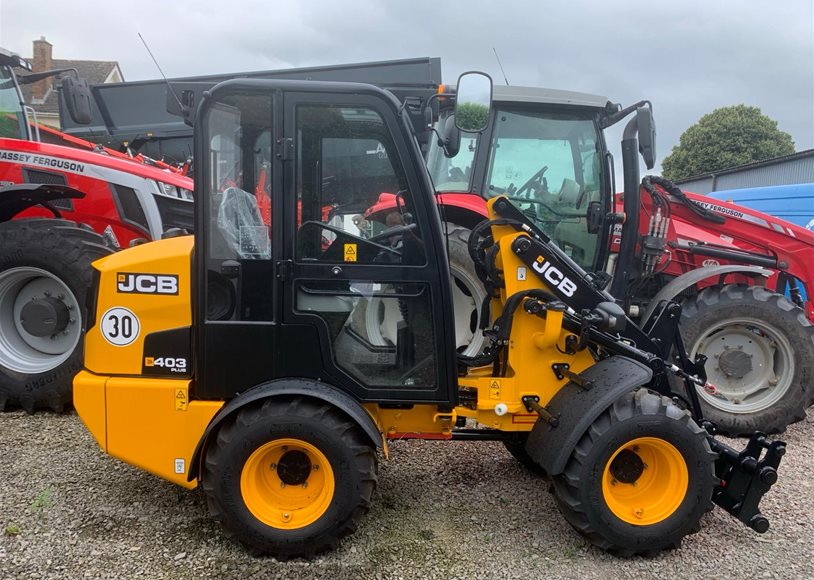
column 353, row 203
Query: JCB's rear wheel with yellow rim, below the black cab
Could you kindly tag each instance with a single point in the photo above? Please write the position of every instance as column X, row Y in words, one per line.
column 289, row 478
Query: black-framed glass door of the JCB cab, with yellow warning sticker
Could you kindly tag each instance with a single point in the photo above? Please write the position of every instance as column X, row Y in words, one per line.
column 366, row 274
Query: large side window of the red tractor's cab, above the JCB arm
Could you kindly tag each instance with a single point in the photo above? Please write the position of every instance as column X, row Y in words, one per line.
column 549, row 166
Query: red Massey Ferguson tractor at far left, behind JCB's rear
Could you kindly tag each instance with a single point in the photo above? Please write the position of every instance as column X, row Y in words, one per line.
column 62, row 206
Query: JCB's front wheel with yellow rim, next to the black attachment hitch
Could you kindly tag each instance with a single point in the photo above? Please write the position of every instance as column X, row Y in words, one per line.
column 640, row 478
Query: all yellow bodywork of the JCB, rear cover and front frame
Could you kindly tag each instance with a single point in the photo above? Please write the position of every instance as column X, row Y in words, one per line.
column 154, row 424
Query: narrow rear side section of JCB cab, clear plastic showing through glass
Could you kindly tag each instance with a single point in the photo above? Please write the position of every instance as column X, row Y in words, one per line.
column 237, row 189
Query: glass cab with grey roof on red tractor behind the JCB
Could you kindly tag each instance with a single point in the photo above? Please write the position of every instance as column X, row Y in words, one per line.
column 544, row 149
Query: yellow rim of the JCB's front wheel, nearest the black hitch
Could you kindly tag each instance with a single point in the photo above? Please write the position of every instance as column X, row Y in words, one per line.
column 645, row 481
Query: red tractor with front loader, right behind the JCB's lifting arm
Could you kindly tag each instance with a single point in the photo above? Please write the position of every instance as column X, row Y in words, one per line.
column 729, row 267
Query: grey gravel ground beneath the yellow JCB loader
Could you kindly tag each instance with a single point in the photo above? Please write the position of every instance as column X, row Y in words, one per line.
column 442, row 510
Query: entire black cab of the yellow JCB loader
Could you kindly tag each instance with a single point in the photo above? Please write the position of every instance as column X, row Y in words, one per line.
column 292, row 281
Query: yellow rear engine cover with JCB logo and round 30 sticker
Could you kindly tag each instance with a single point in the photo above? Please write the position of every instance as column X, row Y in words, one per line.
column 148, row 422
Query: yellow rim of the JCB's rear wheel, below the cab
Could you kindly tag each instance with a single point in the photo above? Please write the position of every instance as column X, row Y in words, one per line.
column 287, row 484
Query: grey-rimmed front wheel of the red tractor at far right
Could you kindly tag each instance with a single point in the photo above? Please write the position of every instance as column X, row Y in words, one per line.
column 760, row 357
